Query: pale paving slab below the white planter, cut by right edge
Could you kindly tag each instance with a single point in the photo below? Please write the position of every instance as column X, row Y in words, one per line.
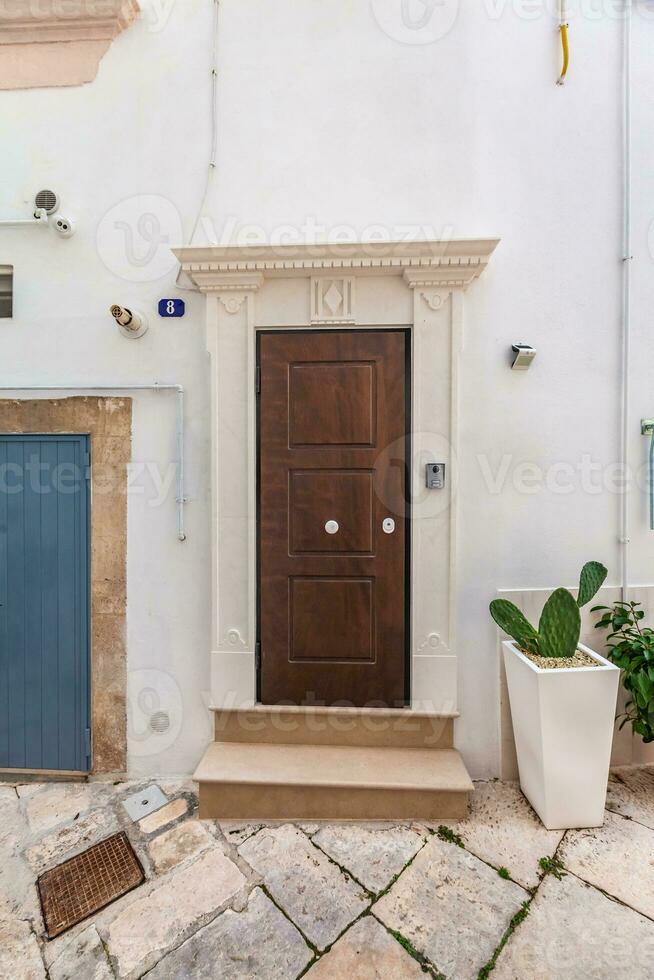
column 618, row 858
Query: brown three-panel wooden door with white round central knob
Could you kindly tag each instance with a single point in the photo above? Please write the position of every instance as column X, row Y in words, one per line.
column 332, row 581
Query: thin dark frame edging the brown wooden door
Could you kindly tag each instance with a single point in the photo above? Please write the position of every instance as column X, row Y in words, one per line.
column 408, row 488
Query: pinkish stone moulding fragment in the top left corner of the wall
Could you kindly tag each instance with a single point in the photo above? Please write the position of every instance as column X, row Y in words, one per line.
column 50, row 44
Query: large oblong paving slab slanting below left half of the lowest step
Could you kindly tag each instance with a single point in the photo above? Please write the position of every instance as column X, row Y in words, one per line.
column 312, row 891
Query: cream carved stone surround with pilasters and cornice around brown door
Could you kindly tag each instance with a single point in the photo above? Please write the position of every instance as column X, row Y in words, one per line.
column 419, row 286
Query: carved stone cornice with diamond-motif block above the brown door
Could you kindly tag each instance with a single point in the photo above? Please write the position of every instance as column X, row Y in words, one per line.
column 425, row 264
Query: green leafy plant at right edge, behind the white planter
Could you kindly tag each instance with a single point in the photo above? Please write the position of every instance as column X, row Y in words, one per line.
column 631, row 648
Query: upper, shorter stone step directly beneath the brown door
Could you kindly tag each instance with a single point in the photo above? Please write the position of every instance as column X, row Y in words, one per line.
column 290, row 725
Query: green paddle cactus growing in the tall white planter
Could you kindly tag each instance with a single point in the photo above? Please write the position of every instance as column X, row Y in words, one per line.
column 559, row 627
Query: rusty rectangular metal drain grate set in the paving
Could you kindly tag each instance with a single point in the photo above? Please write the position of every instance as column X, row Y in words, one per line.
column 86, row 883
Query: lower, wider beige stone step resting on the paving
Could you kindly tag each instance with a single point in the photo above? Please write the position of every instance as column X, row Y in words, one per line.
column 264, row 781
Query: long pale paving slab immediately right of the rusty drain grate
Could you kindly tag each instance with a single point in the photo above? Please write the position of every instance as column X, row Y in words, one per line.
column 154, row 923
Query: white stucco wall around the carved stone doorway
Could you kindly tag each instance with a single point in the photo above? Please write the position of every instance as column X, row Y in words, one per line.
column 330, row 125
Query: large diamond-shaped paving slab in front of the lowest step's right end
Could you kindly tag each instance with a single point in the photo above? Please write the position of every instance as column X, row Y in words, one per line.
column 452, row 907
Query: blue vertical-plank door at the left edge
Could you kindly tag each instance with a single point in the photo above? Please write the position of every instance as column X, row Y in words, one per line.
column 44, row 602
